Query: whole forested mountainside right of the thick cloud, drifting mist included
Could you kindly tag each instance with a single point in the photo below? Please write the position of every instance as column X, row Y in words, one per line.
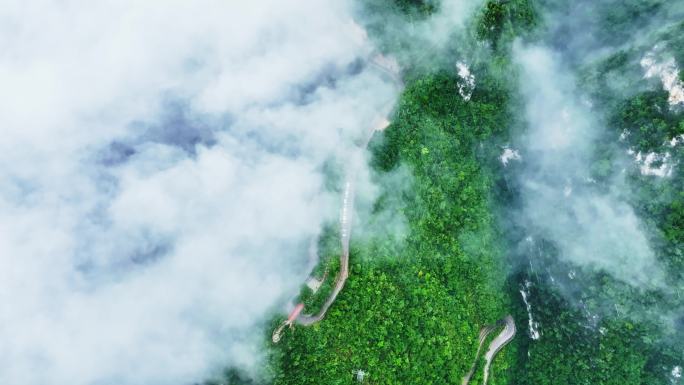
column 543, row 140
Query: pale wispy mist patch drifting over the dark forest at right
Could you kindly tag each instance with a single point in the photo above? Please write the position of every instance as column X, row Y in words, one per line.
column 591, row 225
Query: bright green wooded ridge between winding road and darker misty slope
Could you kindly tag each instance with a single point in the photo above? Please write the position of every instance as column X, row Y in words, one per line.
column 413, row 315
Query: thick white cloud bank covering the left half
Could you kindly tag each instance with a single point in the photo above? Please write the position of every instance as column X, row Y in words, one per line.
column 160, row 170
